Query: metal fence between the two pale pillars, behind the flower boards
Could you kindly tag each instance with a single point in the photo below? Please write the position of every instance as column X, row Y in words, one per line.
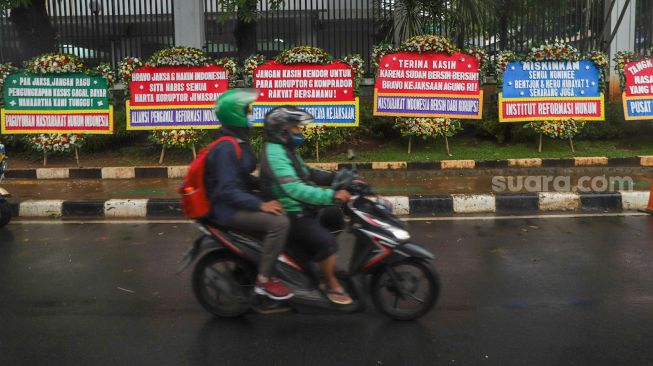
column 354, row 26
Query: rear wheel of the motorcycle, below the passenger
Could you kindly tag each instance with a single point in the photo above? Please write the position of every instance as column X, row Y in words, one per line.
column 223, row 284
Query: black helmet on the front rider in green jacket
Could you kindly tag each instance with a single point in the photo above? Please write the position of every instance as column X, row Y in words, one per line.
column 280, row 119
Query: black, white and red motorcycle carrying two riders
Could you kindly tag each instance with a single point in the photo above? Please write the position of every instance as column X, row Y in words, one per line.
column 384, row 265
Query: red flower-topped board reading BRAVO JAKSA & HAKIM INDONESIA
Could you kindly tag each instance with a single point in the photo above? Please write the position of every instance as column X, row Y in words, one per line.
column 176, row 89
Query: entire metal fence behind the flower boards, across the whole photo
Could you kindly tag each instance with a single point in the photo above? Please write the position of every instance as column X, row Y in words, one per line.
column 108, row 30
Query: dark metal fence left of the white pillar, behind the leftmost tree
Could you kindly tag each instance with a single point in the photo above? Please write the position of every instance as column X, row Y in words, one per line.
column 101, row 30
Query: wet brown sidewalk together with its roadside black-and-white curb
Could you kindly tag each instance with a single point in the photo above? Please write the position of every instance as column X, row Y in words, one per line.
column 413, row 192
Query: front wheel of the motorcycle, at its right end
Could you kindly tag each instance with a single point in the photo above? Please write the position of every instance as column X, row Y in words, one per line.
column 405, row 290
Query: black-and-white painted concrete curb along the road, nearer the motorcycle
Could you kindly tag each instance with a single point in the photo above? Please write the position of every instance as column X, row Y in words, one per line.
column 544, row 202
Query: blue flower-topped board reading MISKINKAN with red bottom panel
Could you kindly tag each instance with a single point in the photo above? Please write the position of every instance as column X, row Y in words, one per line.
column 553, row 82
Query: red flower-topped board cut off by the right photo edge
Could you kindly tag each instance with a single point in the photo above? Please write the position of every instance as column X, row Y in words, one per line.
column 637, row 84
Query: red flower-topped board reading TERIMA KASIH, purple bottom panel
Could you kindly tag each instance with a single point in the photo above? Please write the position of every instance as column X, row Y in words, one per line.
column 428, row 77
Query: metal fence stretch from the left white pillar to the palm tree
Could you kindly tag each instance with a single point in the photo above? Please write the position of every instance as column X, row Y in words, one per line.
column 339, row 26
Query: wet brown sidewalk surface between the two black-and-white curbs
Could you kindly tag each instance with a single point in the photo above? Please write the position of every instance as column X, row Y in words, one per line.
column 390, row 183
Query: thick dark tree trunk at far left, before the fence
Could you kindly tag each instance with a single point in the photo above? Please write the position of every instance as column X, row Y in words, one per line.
column 35, row 32
